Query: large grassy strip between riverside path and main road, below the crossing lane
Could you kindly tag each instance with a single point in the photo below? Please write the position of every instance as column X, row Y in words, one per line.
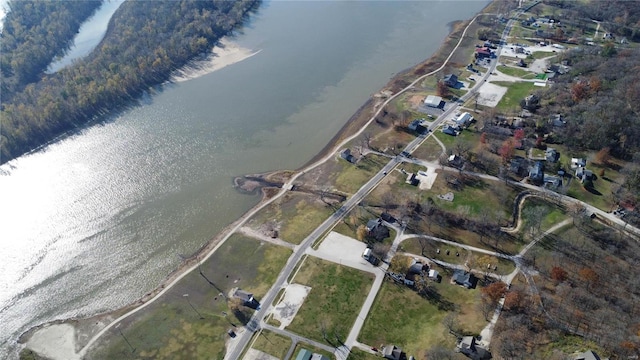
column 172, row 328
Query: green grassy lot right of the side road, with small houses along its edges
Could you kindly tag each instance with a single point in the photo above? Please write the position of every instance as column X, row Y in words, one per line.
column 401, row 317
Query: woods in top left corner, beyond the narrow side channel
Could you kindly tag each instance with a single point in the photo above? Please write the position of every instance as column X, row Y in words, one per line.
column 34, row 33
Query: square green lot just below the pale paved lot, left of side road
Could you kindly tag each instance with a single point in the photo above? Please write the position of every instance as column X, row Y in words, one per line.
column 337, row 293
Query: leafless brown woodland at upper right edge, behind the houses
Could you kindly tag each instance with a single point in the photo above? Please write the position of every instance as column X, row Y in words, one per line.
column 600, row 98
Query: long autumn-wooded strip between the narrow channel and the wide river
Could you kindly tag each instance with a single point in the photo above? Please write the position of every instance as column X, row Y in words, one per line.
column 145, row 42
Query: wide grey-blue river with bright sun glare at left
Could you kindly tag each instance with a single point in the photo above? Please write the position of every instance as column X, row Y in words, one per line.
column 98, row 219
